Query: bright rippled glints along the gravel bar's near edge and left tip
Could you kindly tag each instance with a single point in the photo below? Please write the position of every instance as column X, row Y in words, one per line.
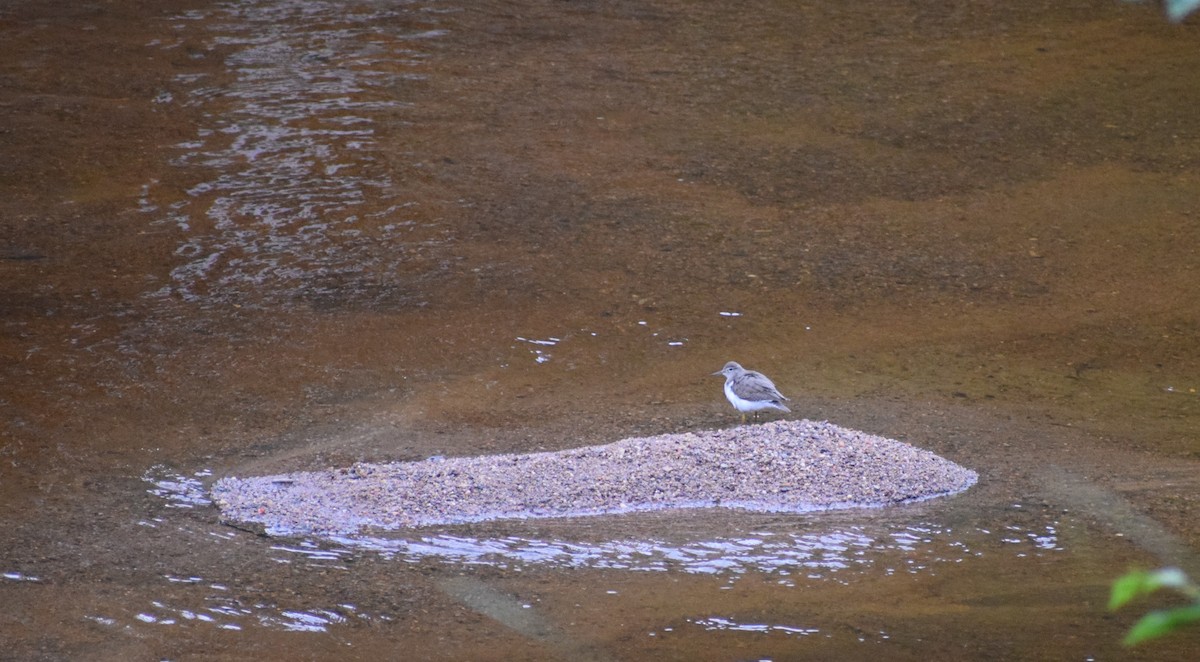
column 803, row 549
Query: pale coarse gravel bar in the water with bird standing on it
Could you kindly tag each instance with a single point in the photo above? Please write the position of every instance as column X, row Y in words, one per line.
column 778, row 467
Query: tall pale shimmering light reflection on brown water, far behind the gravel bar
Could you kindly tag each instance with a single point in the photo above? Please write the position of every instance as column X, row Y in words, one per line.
column 298, row 192
